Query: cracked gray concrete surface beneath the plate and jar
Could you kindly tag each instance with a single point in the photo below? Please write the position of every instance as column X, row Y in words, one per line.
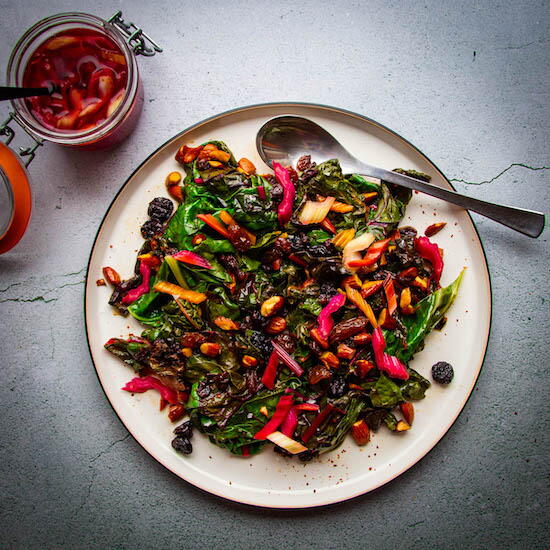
column 469, row 84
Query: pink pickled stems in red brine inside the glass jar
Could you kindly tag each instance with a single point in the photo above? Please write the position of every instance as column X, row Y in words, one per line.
column 91, row 73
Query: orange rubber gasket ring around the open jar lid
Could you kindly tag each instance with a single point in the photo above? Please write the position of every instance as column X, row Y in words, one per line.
column 22, row 202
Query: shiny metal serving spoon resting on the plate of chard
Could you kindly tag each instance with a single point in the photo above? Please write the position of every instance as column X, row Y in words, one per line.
column 285, row 139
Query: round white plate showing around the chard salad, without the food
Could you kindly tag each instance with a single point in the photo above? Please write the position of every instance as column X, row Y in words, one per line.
column 269, row 479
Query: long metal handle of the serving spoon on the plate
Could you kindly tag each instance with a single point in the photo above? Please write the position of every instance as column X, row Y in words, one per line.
column 528, row 222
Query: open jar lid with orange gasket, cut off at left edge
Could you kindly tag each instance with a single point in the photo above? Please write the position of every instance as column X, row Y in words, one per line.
column 15, row 199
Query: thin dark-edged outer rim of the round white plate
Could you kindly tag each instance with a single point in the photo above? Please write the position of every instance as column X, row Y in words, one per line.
column 252, row 107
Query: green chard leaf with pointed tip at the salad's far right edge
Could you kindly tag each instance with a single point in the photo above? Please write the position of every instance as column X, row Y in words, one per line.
column 429, row 312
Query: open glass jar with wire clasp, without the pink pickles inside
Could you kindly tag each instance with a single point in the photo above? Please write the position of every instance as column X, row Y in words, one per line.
column 130, row 40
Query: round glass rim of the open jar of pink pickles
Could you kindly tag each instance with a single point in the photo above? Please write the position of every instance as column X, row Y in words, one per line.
column 30, row 37
